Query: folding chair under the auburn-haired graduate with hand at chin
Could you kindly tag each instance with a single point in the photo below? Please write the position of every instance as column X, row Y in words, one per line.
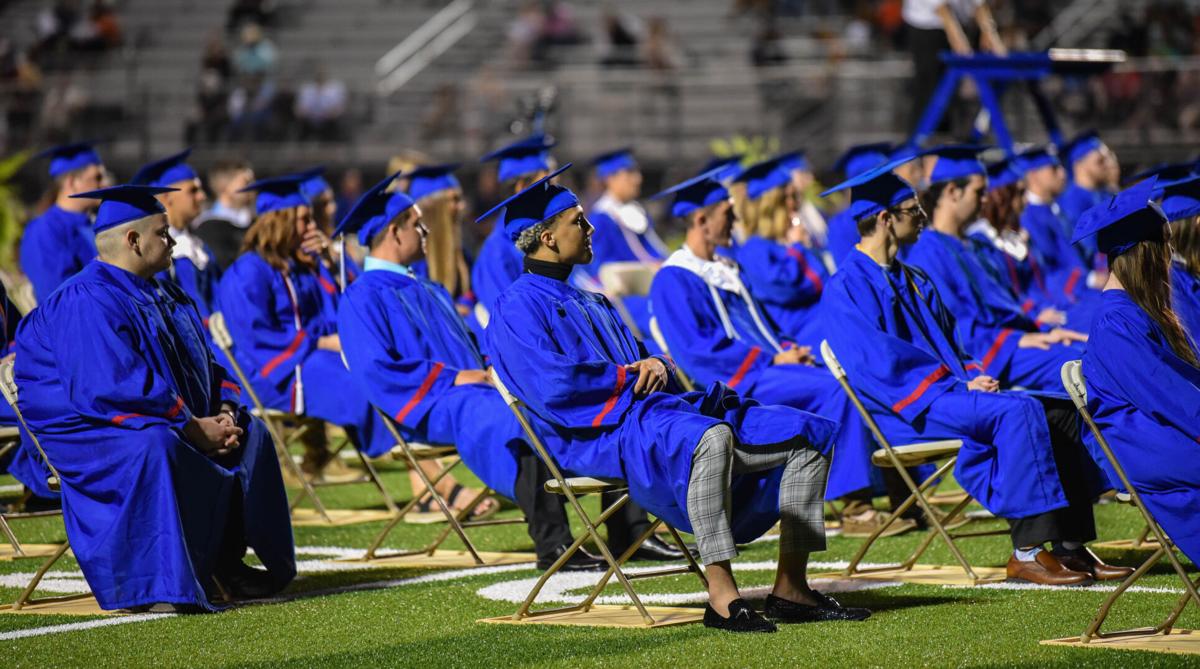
column 281, row 423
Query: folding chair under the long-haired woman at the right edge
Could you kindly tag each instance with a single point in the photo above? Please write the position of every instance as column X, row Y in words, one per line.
column 1073, row 382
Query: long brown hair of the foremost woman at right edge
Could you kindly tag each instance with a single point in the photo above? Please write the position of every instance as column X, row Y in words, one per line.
column 1145, row 274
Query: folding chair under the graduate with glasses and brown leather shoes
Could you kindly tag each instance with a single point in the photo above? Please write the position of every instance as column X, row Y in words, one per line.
column 901, row 459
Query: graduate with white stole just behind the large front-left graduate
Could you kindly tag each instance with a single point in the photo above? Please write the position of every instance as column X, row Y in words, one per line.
column 193, row 268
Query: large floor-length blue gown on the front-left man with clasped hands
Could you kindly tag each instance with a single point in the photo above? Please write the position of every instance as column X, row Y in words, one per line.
column 111, row 370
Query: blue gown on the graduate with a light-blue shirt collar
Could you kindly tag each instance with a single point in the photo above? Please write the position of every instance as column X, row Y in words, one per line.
column 405, row 345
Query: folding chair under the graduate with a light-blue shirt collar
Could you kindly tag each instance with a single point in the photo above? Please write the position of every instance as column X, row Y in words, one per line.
column 457, row 522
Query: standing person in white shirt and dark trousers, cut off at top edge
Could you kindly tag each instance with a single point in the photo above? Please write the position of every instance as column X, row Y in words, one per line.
column 937, row 26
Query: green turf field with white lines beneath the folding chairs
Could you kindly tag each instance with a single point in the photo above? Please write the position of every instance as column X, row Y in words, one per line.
column 394, row 618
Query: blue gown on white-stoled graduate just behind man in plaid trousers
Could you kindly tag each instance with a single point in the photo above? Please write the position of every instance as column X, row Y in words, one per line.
column 698, row 340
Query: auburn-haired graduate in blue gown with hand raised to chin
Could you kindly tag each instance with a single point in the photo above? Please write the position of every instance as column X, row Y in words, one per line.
column 281, row 312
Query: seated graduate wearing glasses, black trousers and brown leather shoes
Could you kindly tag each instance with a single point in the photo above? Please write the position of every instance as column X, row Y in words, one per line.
column 1022, row 455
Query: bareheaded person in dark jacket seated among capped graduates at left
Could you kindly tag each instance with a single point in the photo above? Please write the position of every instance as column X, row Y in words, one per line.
column 225, row 224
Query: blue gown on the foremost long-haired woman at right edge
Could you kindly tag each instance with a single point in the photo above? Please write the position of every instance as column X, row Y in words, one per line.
column 1147, row 402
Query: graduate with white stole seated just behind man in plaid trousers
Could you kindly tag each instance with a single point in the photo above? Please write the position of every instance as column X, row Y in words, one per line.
column 717, row 330
